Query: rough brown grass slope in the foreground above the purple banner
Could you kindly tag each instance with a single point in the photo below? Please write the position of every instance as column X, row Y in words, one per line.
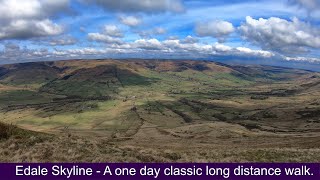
column 27, row 146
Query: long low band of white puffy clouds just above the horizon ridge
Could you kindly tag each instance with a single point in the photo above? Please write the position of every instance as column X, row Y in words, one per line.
column 175, row 48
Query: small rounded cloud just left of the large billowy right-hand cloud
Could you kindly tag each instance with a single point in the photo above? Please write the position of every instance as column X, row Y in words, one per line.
column 218, row 29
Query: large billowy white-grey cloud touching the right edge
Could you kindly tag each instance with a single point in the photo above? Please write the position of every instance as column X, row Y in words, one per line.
column 281, row 35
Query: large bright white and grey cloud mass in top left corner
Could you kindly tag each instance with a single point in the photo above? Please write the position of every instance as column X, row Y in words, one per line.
column 30, row 18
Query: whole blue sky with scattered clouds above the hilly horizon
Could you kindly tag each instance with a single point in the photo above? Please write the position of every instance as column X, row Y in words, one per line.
column 276, row 32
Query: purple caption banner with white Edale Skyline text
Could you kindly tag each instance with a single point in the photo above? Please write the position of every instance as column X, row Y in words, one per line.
column 160, row 171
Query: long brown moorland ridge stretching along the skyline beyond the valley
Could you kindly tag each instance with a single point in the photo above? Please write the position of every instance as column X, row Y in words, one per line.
column 111, row 73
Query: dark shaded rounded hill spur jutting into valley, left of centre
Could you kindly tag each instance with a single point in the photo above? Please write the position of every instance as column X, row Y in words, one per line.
column 101, row 81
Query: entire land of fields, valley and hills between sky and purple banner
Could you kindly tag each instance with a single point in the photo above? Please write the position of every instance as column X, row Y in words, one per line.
column 158, row 110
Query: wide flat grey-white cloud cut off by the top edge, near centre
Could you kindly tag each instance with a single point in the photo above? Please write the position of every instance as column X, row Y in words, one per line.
column 146, row 6
